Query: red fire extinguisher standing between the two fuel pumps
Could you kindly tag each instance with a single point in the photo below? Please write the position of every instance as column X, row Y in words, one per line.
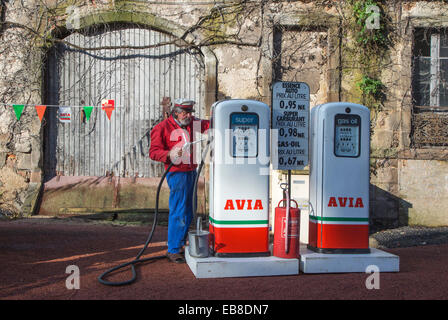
column 286, row 230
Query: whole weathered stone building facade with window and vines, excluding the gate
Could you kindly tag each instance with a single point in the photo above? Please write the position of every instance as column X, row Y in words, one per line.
column 395, row 66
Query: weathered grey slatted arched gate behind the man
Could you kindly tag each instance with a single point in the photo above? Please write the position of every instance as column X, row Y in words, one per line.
column 135, row 67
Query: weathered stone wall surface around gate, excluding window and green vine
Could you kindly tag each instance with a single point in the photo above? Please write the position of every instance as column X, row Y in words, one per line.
column 408, row 184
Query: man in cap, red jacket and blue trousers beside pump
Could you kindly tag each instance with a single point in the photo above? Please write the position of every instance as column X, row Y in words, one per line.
column 168, row 139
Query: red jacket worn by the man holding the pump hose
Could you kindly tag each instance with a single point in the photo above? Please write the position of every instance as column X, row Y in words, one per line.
column 168, row 134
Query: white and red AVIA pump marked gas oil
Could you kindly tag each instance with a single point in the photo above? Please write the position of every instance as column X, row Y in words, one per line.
column 339, row 178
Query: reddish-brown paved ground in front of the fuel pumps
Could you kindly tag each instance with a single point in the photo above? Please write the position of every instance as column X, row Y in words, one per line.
column 34, row 255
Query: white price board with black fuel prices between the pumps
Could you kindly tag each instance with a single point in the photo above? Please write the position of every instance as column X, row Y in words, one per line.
column 290, row 116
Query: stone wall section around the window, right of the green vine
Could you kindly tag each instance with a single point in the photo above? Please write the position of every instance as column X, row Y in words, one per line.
column 409, row 181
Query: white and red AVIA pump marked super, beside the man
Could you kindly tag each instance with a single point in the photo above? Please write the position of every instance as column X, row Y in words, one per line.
column 239, row 179
